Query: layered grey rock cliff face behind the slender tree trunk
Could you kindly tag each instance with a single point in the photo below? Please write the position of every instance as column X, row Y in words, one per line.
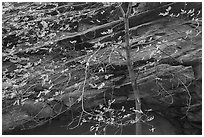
column 167, row 56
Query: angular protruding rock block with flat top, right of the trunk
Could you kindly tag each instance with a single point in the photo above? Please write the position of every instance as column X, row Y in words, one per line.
column 164, row 78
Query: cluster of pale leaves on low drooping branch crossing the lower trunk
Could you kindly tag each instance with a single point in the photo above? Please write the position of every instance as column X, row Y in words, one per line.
column 107, row 116
